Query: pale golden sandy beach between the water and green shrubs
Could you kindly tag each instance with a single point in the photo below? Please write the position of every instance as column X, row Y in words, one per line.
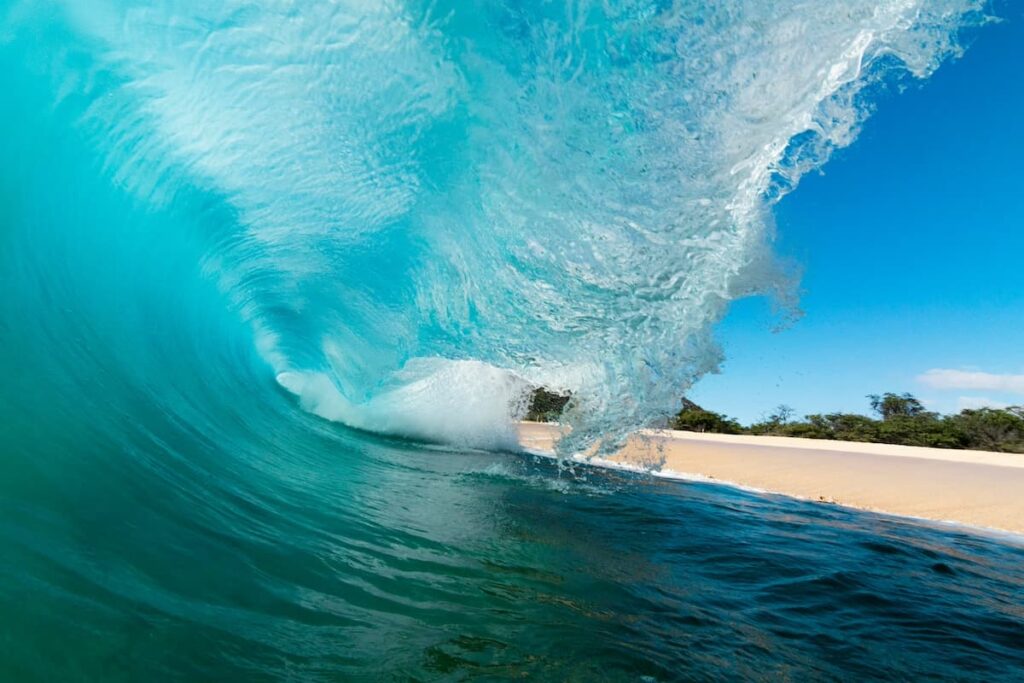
column 974, row 488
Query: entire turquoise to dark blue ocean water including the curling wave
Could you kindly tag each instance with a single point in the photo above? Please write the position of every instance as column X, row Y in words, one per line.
column 277, row 279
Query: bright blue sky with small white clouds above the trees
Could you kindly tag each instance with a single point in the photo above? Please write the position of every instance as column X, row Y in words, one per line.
column 912, row 246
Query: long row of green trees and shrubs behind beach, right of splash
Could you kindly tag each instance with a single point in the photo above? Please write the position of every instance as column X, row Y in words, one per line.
column 902, row 420
